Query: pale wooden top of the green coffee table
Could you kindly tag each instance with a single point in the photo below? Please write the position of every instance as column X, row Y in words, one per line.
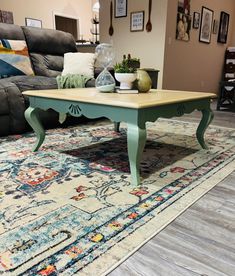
column 141, row 100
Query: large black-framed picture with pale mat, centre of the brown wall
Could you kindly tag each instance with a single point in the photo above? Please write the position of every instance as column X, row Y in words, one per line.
column 206, row 25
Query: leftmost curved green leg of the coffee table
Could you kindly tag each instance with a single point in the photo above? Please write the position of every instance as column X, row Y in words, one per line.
column 31, row 115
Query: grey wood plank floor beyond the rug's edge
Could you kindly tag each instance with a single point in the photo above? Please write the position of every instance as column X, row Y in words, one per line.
column 199, row 242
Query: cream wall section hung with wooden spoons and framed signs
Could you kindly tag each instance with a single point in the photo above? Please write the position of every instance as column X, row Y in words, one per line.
column 149, row 47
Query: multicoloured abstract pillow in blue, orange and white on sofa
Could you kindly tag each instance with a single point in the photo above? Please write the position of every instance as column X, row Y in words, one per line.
column 14, row 58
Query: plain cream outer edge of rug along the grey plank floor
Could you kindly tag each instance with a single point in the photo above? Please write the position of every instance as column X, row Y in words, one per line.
column 201, row 190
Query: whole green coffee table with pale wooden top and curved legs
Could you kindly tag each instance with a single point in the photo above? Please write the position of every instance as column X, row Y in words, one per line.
column 134, row 109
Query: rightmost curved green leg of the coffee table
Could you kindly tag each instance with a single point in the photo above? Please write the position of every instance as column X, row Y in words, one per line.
column 207, row 117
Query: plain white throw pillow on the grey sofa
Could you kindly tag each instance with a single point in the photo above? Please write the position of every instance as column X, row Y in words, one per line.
column 79, row 63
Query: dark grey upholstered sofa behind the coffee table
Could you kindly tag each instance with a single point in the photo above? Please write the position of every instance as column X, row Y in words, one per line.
column 46, row 49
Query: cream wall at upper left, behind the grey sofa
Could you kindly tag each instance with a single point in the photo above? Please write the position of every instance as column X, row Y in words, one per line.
column 44, row 9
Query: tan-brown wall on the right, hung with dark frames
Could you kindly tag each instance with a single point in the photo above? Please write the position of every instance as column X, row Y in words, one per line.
column 193, row 65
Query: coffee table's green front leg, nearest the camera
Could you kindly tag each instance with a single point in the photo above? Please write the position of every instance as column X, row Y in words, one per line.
column 136, row 138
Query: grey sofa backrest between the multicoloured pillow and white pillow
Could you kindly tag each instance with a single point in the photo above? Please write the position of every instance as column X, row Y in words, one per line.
column 47, row 48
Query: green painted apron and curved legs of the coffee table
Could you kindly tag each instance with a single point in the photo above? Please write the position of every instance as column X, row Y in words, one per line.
column 134, row 117
